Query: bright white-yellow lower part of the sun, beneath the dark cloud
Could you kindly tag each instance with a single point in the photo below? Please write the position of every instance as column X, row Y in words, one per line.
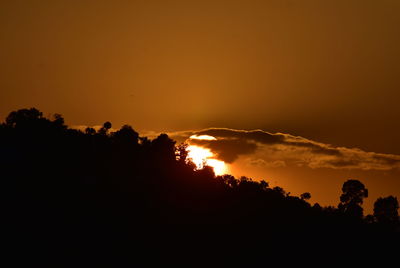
column 204, row 157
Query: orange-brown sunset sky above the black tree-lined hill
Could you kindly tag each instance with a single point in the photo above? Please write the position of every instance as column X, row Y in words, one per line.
column 304, row 94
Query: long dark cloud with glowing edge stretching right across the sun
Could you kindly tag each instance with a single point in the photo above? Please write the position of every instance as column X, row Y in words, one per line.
column 285, row 149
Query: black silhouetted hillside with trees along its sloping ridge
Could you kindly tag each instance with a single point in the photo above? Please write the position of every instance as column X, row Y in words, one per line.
column 100, row 196
